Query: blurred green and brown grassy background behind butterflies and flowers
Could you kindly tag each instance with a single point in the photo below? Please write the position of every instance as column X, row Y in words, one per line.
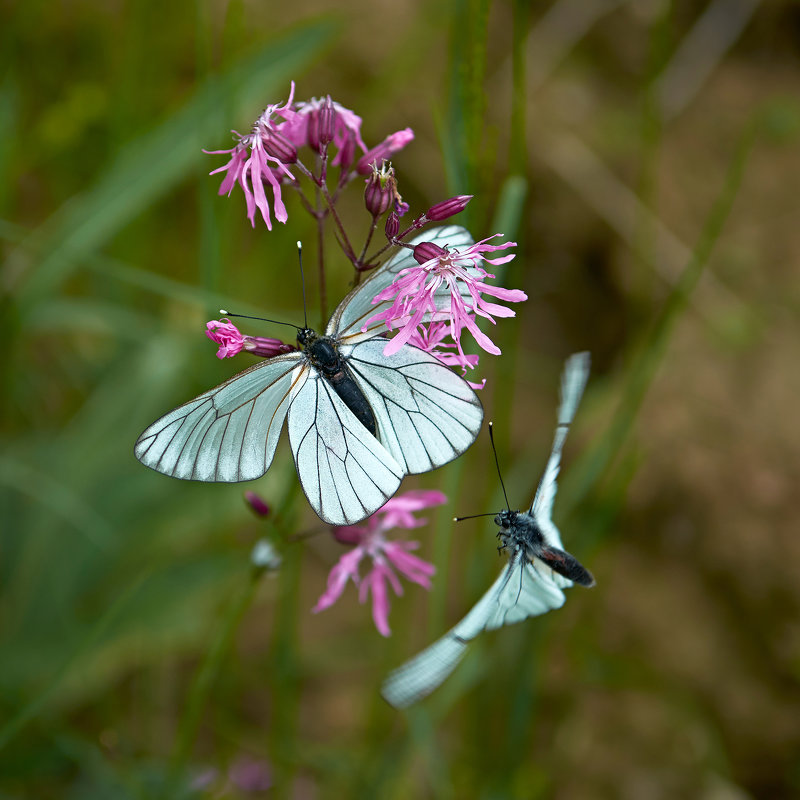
column 645, row 156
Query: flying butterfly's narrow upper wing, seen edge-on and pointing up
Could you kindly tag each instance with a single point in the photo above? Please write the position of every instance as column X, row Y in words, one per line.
column 573, row 382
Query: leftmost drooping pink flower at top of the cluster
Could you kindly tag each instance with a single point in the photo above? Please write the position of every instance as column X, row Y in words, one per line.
column 258, row 157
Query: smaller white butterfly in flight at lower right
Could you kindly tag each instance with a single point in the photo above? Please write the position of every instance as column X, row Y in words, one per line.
column 532, row 582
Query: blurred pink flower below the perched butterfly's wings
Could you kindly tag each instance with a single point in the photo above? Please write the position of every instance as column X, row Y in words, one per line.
column 386, row 556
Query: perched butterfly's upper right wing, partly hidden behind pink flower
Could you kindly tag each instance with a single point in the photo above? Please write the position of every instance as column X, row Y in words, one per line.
column 357, row 307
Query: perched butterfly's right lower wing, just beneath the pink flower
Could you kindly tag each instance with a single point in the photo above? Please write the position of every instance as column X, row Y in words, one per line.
column 426, row 414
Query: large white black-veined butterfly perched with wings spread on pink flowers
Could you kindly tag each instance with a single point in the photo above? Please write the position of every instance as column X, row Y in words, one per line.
column 358, row 421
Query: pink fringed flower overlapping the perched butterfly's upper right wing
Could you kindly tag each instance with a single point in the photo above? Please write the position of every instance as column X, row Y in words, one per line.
column 458, row 274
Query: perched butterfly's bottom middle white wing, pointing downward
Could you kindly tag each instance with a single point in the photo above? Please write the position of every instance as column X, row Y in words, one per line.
column 345, row 472
